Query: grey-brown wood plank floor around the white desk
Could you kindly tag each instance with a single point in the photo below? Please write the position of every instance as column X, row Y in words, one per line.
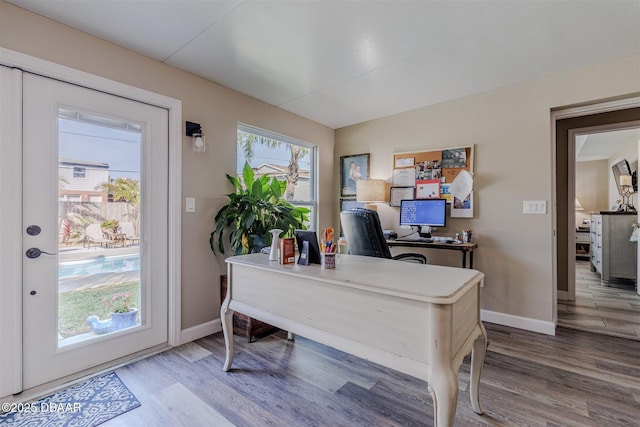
column 571, row 379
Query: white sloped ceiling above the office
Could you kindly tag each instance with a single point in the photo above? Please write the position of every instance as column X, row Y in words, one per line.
column 345, row 62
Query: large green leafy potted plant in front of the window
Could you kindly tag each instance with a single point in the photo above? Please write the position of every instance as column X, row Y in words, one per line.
column 253, row 209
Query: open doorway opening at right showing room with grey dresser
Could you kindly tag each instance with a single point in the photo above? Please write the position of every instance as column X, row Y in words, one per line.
column 610, row 307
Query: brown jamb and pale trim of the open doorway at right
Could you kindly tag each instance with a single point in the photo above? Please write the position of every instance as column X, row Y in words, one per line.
column 618, row 114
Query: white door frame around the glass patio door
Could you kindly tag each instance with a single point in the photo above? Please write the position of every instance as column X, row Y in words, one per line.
column 11, row 306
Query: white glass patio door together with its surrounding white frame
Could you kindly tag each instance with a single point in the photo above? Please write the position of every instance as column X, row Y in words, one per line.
column 34, row 228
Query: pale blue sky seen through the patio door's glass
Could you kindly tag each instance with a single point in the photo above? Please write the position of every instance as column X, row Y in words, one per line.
column 120, row 149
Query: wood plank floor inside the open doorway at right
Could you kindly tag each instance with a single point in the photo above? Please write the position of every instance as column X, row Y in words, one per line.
column 613, row 310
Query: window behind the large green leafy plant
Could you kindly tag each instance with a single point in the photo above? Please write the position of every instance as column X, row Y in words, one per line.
column 286, row 158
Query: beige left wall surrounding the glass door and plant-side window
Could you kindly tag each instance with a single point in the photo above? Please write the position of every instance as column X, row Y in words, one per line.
column 216, row 108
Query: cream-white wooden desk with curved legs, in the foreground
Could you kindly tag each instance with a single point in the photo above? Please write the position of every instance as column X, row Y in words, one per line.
column 421, row 320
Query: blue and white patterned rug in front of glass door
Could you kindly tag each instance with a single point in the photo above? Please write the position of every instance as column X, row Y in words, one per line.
column 86, row 404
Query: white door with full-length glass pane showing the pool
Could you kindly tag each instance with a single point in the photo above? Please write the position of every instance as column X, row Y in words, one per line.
column 95, row 227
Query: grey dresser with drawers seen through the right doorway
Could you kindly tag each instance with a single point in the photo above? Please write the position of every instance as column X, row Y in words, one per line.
column 612, row 254
